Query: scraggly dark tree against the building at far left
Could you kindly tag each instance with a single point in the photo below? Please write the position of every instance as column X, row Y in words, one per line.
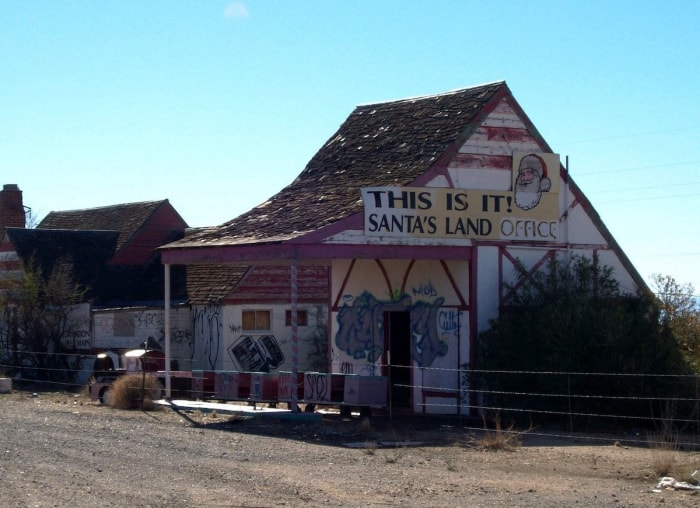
column 35, row 315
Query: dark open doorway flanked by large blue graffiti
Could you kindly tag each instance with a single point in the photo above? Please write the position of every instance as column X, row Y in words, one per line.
column 397, row 338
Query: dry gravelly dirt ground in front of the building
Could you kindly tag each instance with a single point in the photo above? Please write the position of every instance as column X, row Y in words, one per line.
column 60, row 449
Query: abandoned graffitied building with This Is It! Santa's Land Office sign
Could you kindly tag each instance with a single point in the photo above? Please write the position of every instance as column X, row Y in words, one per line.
column 388, row 254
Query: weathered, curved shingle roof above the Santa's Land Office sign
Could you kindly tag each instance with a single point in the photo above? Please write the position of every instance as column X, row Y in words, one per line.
column 383, row 144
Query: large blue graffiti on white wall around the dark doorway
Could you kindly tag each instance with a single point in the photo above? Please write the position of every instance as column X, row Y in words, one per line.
column 360, row 327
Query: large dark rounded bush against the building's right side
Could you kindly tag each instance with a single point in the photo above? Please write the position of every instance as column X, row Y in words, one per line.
column 568, row 340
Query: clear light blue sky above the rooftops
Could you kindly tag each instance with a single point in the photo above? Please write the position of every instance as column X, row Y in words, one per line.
column 217, row 105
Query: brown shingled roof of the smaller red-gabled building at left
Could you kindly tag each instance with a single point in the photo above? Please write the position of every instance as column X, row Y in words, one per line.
column 127, row 219
